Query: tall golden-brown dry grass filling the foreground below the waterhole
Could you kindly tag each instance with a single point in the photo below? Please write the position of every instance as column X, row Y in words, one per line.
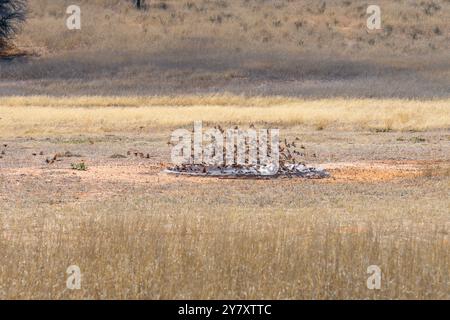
column 179, row 239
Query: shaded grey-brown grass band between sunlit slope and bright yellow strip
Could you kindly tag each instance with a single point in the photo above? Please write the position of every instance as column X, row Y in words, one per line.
column 211, row 72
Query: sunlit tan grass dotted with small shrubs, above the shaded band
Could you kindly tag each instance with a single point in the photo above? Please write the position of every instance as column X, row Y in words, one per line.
column 297, row 26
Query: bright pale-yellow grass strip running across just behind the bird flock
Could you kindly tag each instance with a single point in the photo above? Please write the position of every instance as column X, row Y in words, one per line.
column 47, row 115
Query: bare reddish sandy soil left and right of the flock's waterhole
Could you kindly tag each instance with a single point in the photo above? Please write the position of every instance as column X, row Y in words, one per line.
column 101, row 179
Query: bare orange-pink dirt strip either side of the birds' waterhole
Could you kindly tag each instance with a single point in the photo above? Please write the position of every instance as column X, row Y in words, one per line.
column 108, row 180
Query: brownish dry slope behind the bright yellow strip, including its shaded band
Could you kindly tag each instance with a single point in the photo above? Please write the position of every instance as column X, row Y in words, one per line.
column 312, row 49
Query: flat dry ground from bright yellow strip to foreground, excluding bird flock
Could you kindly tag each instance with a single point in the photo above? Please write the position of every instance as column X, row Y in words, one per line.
column 136, row 232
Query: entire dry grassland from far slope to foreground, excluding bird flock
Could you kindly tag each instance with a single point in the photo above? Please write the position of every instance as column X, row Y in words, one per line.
column 85, row 119
